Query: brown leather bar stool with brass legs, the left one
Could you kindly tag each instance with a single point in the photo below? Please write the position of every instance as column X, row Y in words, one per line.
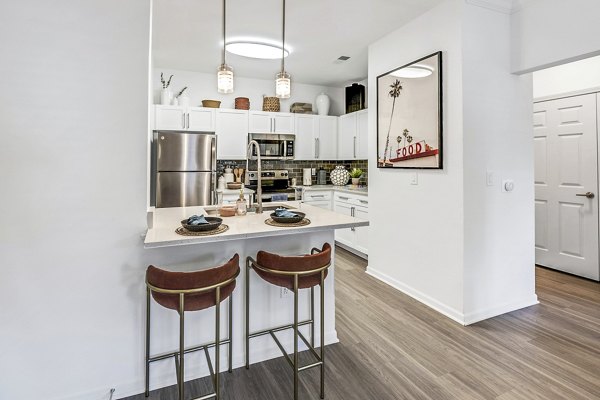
column 191, row 291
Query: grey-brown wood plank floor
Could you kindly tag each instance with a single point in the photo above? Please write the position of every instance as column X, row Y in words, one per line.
column 393, row 347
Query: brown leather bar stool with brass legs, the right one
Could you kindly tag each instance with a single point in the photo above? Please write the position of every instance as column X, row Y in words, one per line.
column 294, row 273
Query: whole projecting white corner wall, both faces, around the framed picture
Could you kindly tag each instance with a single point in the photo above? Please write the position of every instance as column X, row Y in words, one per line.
column 452, row 242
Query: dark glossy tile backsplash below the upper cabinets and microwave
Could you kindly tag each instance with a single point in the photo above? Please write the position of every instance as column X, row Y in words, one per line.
column 295, row 167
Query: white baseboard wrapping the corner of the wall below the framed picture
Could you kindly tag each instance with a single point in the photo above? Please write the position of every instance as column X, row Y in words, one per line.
column 461, row 318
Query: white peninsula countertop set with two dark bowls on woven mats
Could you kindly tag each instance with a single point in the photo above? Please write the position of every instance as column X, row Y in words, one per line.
column 166, row 220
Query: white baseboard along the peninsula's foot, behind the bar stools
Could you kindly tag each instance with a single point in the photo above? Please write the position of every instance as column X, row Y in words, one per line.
column 194, row 370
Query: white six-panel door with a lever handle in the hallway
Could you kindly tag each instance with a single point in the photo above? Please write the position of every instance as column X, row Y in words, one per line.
column 566, row 169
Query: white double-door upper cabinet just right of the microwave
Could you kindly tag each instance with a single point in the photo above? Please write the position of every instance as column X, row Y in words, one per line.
column 316, row 137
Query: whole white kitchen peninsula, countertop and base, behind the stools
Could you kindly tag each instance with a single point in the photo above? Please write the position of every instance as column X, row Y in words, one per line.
column 246, row 236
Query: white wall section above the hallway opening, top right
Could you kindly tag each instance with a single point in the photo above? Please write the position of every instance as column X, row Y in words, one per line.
column 546, row 33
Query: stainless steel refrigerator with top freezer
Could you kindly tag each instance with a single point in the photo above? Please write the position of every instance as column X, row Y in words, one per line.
column 185, row 165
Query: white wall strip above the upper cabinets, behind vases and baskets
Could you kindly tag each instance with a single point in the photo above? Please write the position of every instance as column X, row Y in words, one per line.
column 203, row 86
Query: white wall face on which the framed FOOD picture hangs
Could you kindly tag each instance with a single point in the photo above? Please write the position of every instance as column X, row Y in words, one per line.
column 417, row 231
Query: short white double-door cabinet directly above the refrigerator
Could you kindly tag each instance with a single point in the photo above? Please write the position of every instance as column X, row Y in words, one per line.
column 177, row 118
